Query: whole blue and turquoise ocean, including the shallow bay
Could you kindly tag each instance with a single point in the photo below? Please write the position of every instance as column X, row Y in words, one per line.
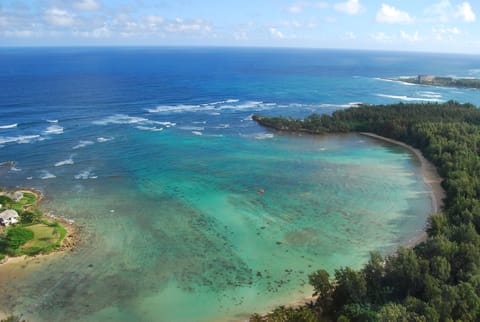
column 190, row 211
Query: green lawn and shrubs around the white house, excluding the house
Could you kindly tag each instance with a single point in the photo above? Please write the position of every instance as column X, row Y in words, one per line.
column 33, row 235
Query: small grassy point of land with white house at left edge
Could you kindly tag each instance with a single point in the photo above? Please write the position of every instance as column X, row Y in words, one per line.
column 26, row 230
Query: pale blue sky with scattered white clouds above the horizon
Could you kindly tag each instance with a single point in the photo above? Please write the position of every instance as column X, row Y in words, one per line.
column 418, row 25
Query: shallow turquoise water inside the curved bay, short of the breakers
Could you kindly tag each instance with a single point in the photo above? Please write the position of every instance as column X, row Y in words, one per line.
column 191, row 237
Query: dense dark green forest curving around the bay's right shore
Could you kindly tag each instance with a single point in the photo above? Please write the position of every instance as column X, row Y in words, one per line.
column 439, row 279
